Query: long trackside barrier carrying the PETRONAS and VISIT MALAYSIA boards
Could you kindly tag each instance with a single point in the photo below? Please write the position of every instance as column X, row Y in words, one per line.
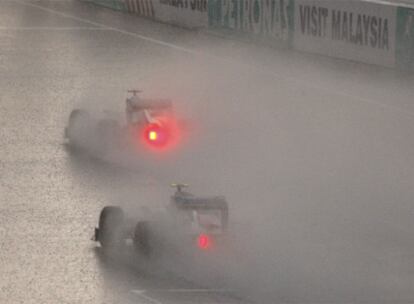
column 372, row 32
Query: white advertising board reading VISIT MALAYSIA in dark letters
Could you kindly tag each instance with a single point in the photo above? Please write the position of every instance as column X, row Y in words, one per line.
column 355, row 30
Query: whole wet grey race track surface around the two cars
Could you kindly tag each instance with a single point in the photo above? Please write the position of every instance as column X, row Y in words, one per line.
column 314, row 155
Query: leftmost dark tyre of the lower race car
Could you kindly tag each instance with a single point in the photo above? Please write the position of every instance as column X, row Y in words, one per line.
column 111, row 222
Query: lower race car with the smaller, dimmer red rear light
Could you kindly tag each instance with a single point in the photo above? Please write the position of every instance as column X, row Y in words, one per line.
column 187, row 223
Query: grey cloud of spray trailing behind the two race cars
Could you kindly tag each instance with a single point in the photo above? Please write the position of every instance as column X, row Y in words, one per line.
column 317, row 175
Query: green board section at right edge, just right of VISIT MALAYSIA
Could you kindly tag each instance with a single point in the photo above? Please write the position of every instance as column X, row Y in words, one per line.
column 405, row 38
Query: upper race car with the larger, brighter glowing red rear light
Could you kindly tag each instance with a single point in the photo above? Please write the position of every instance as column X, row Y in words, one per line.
column 148, row 124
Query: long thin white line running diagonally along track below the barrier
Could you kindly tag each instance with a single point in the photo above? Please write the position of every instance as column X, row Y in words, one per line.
column 400, row 110
